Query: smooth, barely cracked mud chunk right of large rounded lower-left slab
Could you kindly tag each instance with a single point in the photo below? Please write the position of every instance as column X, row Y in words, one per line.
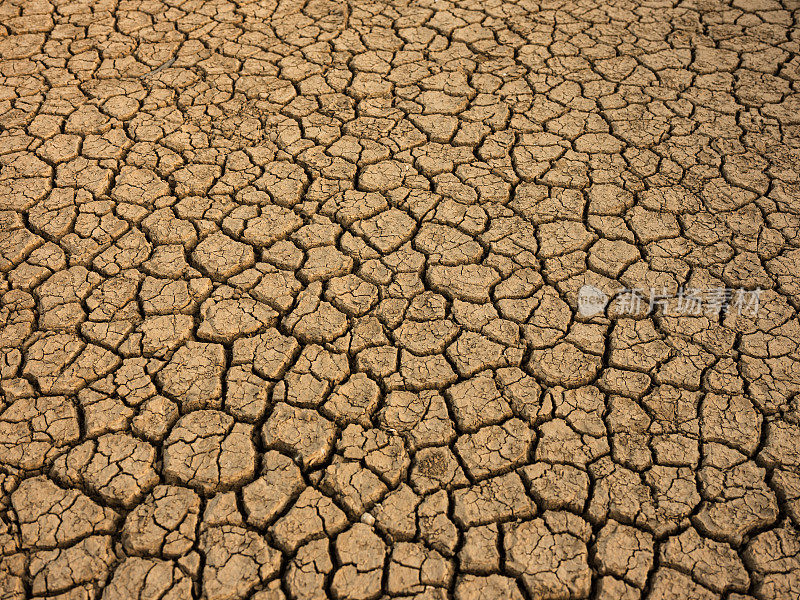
column 302, row 432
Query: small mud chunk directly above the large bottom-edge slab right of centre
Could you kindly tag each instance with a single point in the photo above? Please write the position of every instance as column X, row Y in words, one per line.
column 557, row 487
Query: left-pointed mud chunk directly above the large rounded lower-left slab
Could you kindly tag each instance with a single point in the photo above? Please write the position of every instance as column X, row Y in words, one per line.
column 194, row 375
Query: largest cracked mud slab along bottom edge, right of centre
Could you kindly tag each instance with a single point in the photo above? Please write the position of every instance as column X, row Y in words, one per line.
column 550, row 555
